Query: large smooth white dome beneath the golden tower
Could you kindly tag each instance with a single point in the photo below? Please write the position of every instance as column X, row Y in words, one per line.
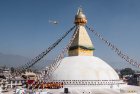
column 84, row 68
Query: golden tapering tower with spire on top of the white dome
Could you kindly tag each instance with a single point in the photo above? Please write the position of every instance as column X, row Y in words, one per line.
column 82, row 45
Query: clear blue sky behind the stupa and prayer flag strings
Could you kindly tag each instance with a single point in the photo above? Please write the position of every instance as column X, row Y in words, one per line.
column 25, row 30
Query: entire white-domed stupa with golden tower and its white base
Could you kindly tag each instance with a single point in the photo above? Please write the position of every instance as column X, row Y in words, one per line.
column 83, row 73
